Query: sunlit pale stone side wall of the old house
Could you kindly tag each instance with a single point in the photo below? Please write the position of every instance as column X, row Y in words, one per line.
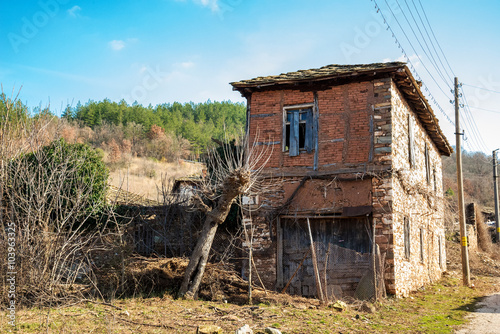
column 419, row 199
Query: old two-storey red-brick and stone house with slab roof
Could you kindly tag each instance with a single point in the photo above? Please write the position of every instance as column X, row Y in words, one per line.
column 356, row 152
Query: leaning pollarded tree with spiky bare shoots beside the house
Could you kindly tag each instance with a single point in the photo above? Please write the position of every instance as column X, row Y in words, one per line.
column 236, row 171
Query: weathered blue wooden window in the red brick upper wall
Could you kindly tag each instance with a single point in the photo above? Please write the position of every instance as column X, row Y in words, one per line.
column 298, row 131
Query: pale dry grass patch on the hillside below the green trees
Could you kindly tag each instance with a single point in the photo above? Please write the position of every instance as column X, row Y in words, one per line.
column 145, row 176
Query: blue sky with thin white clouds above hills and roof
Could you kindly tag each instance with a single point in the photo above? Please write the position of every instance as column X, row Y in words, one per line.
column 156, row 51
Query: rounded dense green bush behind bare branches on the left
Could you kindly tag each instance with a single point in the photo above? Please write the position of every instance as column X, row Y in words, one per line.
column 60, row 179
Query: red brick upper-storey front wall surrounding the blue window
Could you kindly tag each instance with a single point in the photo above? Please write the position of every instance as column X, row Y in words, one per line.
column 344, row 116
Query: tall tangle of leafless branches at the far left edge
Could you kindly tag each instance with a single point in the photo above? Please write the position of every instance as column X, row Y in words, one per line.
column 44, row 205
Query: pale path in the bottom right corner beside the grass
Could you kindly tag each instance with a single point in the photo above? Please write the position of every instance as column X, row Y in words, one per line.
column 486, row 320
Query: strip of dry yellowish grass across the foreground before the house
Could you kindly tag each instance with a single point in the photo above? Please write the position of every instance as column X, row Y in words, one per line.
column 437, row 309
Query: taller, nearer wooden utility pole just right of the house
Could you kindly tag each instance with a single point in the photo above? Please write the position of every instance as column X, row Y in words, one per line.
column 460, row 182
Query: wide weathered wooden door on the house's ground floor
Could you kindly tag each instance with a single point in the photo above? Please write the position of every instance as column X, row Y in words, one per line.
column 342, row 249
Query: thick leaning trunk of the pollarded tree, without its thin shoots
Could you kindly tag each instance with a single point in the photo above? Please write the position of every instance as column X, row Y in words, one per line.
column 232, row 186
